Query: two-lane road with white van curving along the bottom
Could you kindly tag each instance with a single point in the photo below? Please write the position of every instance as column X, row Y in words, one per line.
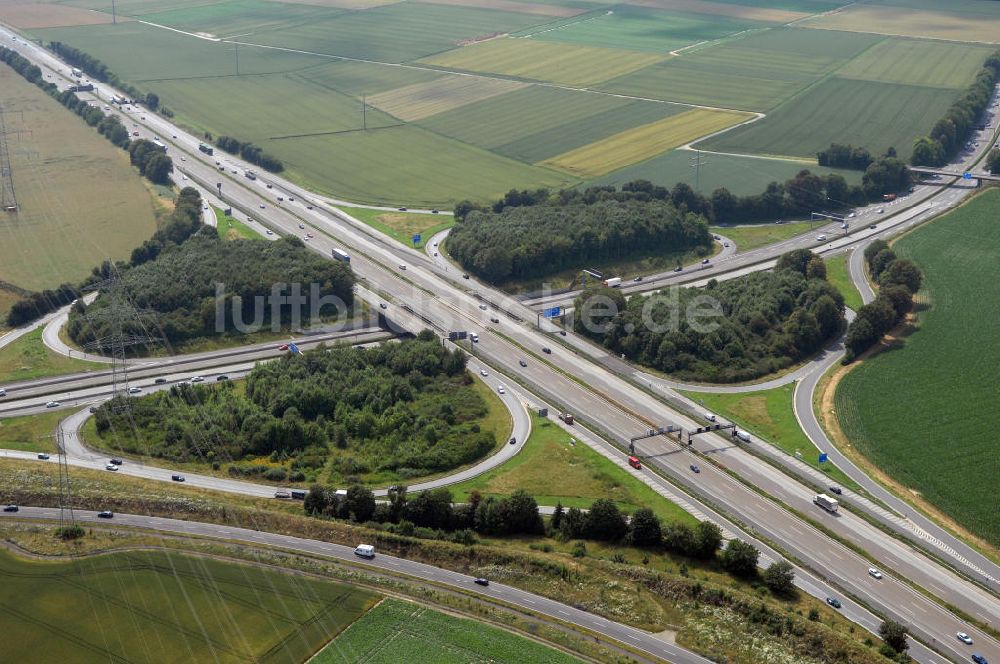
column 629, row 636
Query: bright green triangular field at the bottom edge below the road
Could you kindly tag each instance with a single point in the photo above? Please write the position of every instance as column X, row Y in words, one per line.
column 397, row 631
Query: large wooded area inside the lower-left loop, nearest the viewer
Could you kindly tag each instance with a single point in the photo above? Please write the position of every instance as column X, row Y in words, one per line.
column 397, row 410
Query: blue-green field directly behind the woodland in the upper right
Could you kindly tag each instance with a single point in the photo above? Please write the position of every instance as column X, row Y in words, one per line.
column 740, row 175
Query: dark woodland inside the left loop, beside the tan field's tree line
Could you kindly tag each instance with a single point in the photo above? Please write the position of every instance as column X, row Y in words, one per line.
column 178, row 288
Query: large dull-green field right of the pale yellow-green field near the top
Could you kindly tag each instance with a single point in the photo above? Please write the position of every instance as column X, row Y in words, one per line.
column 755, row 73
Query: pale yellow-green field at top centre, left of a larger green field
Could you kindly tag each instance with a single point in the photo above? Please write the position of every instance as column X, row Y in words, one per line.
column 531, row 59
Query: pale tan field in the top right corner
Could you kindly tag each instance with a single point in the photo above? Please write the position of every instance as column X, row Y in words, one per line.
column 961, row 20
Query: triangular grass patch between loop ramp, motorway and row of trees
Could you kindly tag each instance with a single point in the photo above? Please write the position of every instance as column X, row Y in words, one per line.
column 553, row 471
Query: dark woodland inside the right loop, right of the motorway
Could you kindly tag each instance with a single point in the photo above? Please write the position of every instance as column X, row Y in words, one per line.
column 759, row 323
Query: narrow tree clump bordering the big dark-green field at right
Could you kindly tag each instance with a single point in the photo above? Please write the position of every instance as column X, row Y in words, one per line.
column 899, row 280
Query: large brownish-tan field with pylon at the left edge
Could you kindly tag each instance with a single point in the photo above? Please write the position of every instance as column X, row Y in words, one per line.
column 80, row 202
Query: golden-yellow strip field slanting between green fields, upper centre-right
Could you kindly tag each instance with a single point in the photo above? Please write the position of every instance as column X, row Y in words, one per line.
column 644, row 142
